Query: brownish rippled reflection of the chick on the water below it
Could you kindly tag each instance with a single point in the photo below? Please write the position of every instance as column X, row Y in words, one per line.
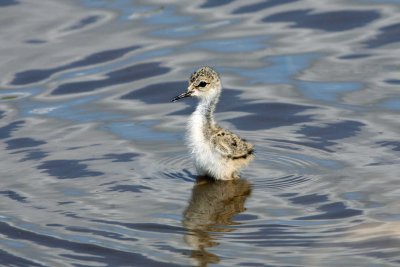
column 211, row 209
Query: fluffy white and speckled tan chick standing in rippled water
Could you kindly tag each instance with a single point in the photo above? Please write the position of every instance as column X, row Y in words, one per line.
column 217, row 153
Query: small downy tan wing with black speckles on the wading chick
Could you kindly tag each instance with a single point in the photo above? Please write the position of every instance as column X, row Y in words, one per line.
column 230, row 145
